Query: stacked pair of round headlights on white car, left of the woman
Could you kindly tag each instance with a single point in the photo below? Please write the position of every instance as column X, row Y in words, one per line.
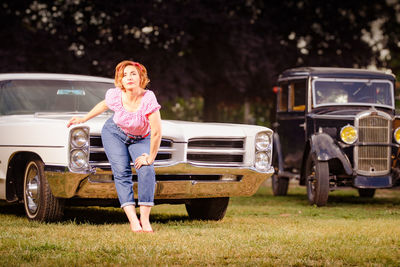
column 79, row 149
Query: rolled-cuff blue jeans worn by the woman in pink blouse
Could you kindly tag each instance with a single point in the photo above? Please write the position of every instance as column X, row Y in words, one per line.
column 120, row 150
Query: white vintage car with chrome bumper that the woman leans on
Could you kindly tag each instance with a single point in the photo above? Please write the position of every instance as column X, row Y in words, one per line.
column 46, row 165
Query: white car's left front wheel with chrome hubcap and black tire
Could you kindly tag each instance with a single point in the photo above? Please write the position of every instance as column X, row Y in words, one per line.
column 39, row 202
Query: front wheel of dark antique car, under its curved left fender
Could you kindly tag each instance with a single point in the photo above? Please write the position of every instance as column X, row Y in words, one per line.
column 317, row 175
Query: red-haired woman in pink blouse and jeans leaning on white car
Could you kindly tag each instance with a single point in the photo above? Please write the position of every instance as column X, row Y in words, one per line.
column 127, row 136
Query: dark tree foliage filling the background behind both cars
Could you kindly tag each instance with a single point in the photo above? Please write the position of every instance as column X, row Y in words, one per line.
column 228, row 52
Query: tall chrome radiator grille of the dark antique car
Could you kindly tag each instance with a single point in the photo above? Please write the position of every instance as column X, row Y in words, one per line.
column 372, row 155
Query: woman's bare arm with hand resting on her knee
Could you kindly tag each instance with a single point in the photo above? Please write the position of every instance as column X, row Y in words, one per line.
column 155, row 141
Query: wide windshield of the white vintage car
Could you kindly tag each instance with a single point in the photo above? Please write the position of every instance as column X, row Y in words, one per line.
column 31, row 96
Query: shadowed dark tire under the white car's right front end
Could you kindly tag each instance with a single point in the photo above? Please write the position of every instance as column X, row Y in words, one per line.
column 207, row 208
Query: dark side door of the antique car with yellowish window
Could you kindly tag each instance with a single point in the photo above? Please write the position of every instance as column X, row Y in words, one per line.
column 290, row 124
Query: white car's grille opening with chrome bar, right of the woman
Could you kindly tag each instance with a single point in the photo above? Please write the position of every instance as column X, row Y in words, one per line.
column 218, row 152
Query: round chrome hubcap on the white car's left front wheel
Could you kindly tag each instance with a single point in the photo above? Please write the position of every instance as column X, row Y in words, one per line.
column 32, row 189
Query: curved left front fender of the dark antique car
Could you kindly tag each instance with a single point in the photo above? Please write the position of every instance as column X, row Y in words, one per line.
column 324, row 148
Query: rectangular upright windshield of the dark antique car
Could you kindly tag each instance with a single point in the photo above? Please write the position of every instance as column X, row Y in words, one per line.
column 329, row 92
